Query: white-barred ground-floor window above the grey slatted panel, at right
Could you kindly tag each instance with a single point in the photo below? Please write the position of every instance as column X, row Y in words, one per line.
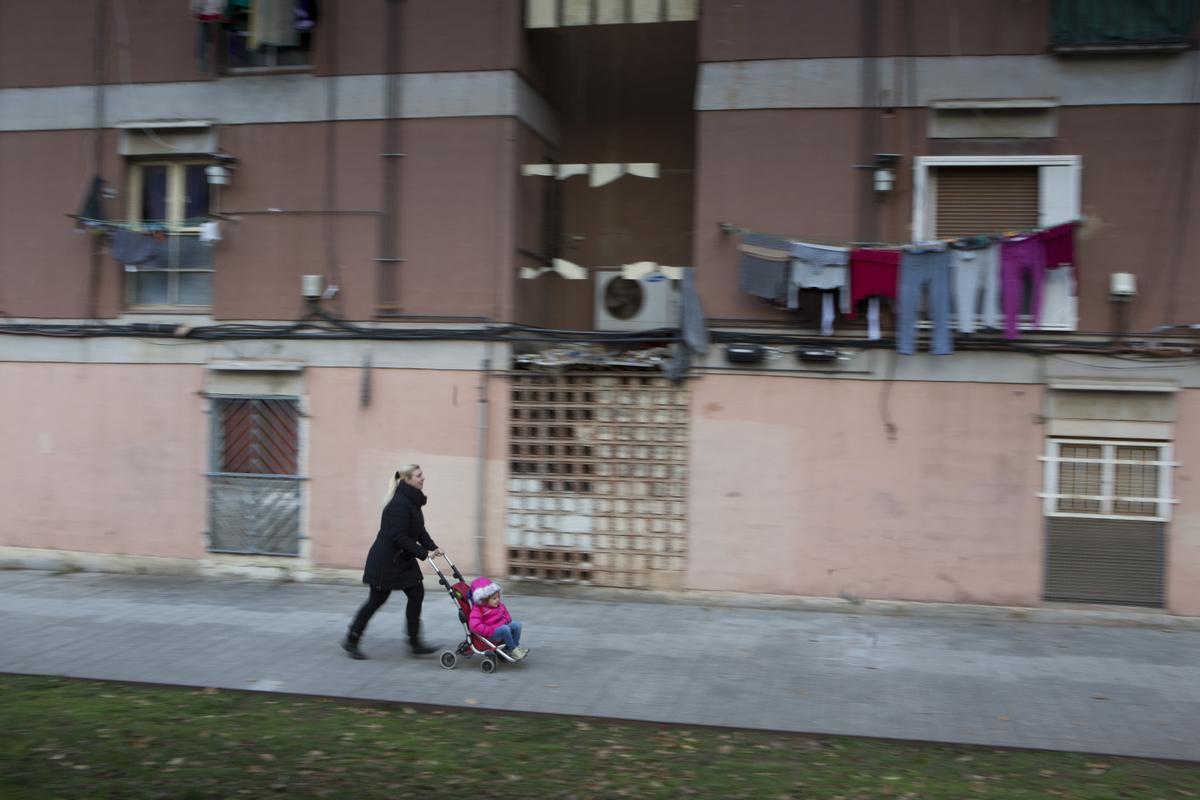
column 1118, row 480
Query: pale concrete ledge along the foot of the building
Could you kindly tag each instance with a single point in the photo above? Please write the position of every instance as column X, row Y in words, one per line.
column 221, row 567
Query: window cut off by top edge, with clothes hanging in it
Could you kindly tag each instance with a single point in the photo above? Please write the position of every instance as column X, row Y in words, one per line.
column 269, row 34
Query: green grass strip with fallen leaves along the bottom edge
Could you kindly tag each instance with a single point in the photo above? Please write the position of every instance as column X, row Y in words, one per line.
column 67, row 738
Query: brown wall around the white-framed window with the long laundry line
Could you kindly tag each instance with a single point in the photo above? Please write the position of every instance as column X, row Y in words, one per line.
column 757, row 170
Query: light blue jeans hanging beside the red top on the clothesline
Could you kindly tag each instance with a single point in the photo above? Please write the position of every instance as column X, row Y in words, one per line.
column 921, row 267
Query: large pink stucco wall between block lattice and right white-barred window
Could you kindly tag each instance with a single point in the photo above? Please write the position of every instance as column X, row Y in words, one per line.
column 797, row 489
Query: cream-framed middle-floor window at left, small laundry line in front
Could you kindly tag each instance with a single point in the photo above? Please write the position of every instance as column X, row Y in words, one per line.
column 170, row 201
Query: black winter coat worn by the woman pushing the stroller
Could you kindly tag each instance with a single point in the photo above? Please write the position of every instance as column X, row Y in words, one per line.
column 403, row 539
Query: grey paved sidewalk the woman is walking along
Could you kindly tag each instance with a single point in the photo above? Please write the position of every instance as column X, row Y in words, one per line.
column 1131, row 690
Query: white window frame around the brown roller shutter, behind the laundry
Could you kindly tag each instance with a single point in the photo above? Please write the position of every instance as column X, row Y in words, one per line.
column 1059, row 201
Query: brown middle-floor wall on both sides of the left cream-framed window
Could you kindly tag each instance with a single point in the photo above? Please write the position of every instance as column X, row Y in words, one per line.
column 455, row 206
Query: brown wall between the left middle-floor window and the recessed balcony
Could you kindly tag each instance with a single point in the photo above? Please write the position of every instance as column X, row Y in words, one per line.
column 452, row 214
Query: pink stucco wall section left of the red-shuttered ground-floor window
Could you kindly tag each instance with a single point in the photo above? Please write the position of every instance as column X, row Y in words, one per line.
column 104, row 459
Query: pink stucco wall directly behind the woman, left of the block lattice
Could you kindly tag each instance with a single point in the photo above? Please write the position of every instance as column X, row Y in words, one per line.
column 424, row 417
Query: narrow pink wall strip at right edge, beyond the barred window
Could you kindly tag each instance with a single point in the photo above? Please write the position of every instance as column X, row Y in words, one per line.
column 1184, row 533
